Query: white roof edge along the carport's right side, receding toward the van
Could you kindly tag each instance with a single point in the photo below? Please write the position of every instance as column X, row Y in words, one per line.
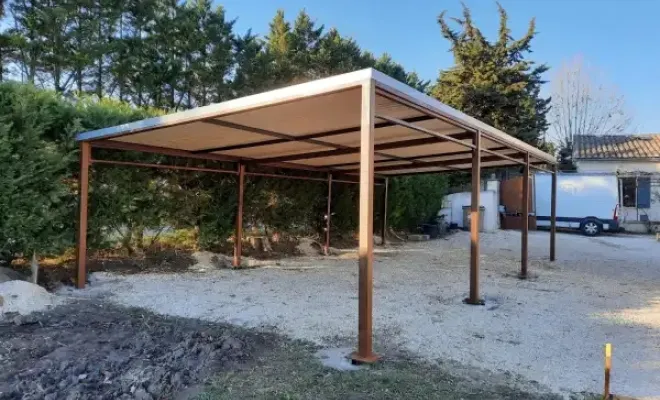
column 427, row 101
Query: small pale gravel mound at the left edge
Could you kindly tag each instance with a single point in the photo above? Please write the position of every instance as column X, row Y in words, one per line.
column 24, row 298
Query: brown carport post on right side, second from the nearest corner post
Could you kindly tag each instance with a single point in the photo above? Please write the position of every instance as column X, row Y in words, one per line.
column 474, row 298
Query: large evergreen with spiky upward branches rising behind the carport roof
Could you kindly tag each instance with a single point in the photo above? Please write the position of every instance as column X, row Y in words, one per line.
column 494, row 81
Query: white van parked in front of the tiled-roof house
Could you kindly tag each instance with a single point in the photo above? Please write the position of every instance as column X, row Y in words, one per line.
column 588, row 202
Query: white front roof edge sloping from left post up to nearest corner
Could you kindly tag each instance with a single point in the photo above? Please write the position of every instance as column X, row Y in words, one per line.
column 300, row 91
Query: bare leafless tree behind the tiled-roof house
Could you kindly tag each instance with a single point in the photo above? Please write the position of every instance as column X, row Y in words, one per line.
column 584, row 104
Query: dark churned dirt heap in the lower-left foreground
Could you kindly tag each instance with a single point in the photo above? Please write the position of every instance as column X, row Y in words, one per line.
column 91, row 351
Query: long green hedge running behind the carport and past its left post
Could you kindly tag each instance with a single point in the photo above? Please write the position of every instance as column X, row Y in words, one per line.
column 39, row 186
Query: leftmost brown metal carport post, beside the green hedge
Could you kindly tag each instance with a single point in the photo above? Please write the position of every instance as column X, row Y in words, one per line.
column 83, row 182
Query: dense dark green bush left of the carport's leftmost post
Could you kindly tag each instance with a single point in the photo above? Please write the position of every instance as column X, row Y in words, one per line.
column 35, row 202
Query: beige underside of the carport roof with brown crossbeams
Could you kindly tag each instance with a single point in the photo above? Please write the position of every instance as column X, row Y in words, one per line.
column 323, row 132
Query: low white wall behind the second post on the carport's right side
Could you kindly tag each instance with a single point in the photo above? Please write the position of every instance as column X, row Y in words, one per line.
column 453, row 208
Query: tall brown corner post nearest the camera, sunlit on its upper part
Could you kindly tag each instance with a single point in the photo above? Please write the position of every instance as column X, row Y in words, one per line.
column 364, row 353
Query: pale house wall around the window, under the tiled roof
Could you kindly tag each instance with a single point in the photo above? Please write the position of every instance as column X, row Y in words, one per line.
column 629, row 168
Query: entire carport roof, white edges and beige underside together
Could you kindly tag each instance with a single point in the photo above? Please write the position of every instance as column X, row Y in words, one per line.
column 316, row 125
